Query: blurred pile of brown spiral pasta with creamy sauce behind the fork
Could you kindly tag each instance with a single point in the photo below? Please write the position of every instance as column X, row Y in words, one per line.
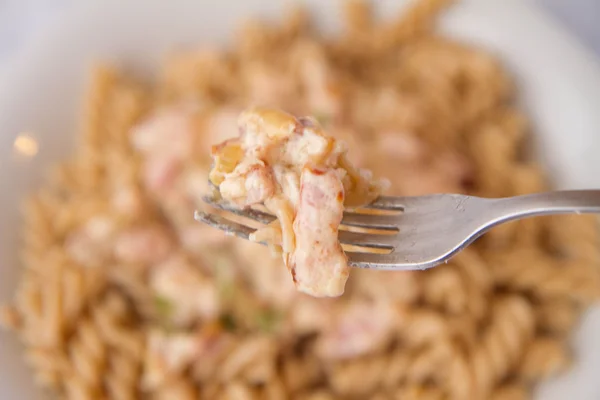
column 124, row 296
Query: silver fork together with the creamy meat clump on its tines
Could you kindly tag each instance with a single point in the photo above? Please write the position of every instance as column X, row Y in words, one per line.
column 307, row 202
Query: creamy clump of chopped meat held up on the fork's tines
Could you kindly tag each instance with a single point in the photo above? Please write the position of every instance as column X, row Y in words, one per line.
column 304, row 178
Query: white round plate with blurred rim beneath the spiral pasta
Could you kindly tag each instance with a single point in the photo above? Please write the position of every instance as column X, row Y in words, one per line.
column 41, row 93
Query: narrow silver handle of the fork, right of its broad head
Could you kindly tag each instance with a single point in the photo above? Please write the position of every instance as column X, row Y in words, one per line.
column 558, row 202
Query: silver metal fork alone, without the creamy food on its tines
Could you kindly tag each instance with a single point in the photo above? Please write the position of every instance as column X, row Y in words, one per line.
column 426, row 230
